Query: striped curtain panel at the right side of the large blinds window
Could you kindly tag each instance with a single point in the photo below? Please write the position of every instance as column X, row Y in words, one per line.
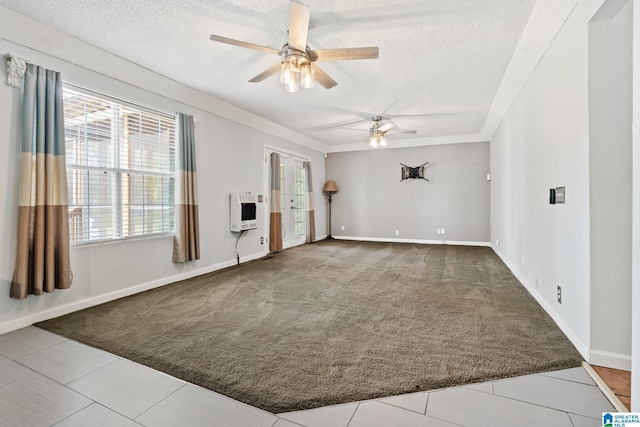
column 186, row 240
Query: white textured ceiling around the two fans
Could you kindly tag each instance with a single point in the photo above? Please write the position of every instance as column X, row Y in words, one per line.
column 440, row 66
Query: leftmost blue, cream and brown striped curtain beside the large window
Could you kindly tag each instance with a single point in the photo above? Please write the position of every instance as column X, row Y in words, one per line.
column 42, row 256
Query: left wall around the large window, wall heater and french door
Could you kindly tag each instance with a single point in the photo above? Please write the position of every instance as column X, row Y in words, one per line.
column 230, row 158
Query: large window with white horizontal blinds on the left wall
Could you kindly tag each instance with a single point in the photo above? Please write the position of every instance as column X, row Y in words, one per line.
column 120, row 168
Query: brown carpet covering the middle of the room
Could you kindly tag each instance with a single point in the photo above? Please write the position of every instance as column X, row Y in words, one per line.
column 333, row 322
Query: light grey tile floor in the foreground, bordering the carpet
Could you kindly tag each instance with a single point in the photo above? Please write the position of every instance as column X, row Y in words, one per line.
column 48, row 380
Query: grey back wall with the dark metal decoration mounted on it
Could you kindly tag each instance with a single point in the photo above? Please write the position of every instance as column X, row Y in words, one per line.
column 373, row 202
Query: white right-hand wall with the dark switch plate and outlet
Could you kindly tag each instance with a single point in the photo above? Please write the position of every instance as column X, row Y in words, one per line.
column 543, row 142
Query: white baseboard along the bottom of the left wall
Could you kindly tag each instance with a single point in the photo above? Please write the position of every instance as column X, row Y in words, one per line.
column 40, row 316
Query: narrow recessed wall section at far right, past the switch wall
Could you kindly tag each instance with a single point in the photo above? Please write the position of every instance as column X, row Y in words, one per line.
column 610, row 89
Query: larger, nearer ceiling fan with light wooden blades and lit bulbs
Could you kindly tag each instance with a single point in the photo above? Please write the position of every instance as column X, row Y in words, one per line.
column 296, row 65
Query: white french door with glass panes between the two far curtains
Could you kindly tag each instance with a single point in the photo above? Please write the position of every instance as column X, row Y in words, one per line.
column 292, row 200
